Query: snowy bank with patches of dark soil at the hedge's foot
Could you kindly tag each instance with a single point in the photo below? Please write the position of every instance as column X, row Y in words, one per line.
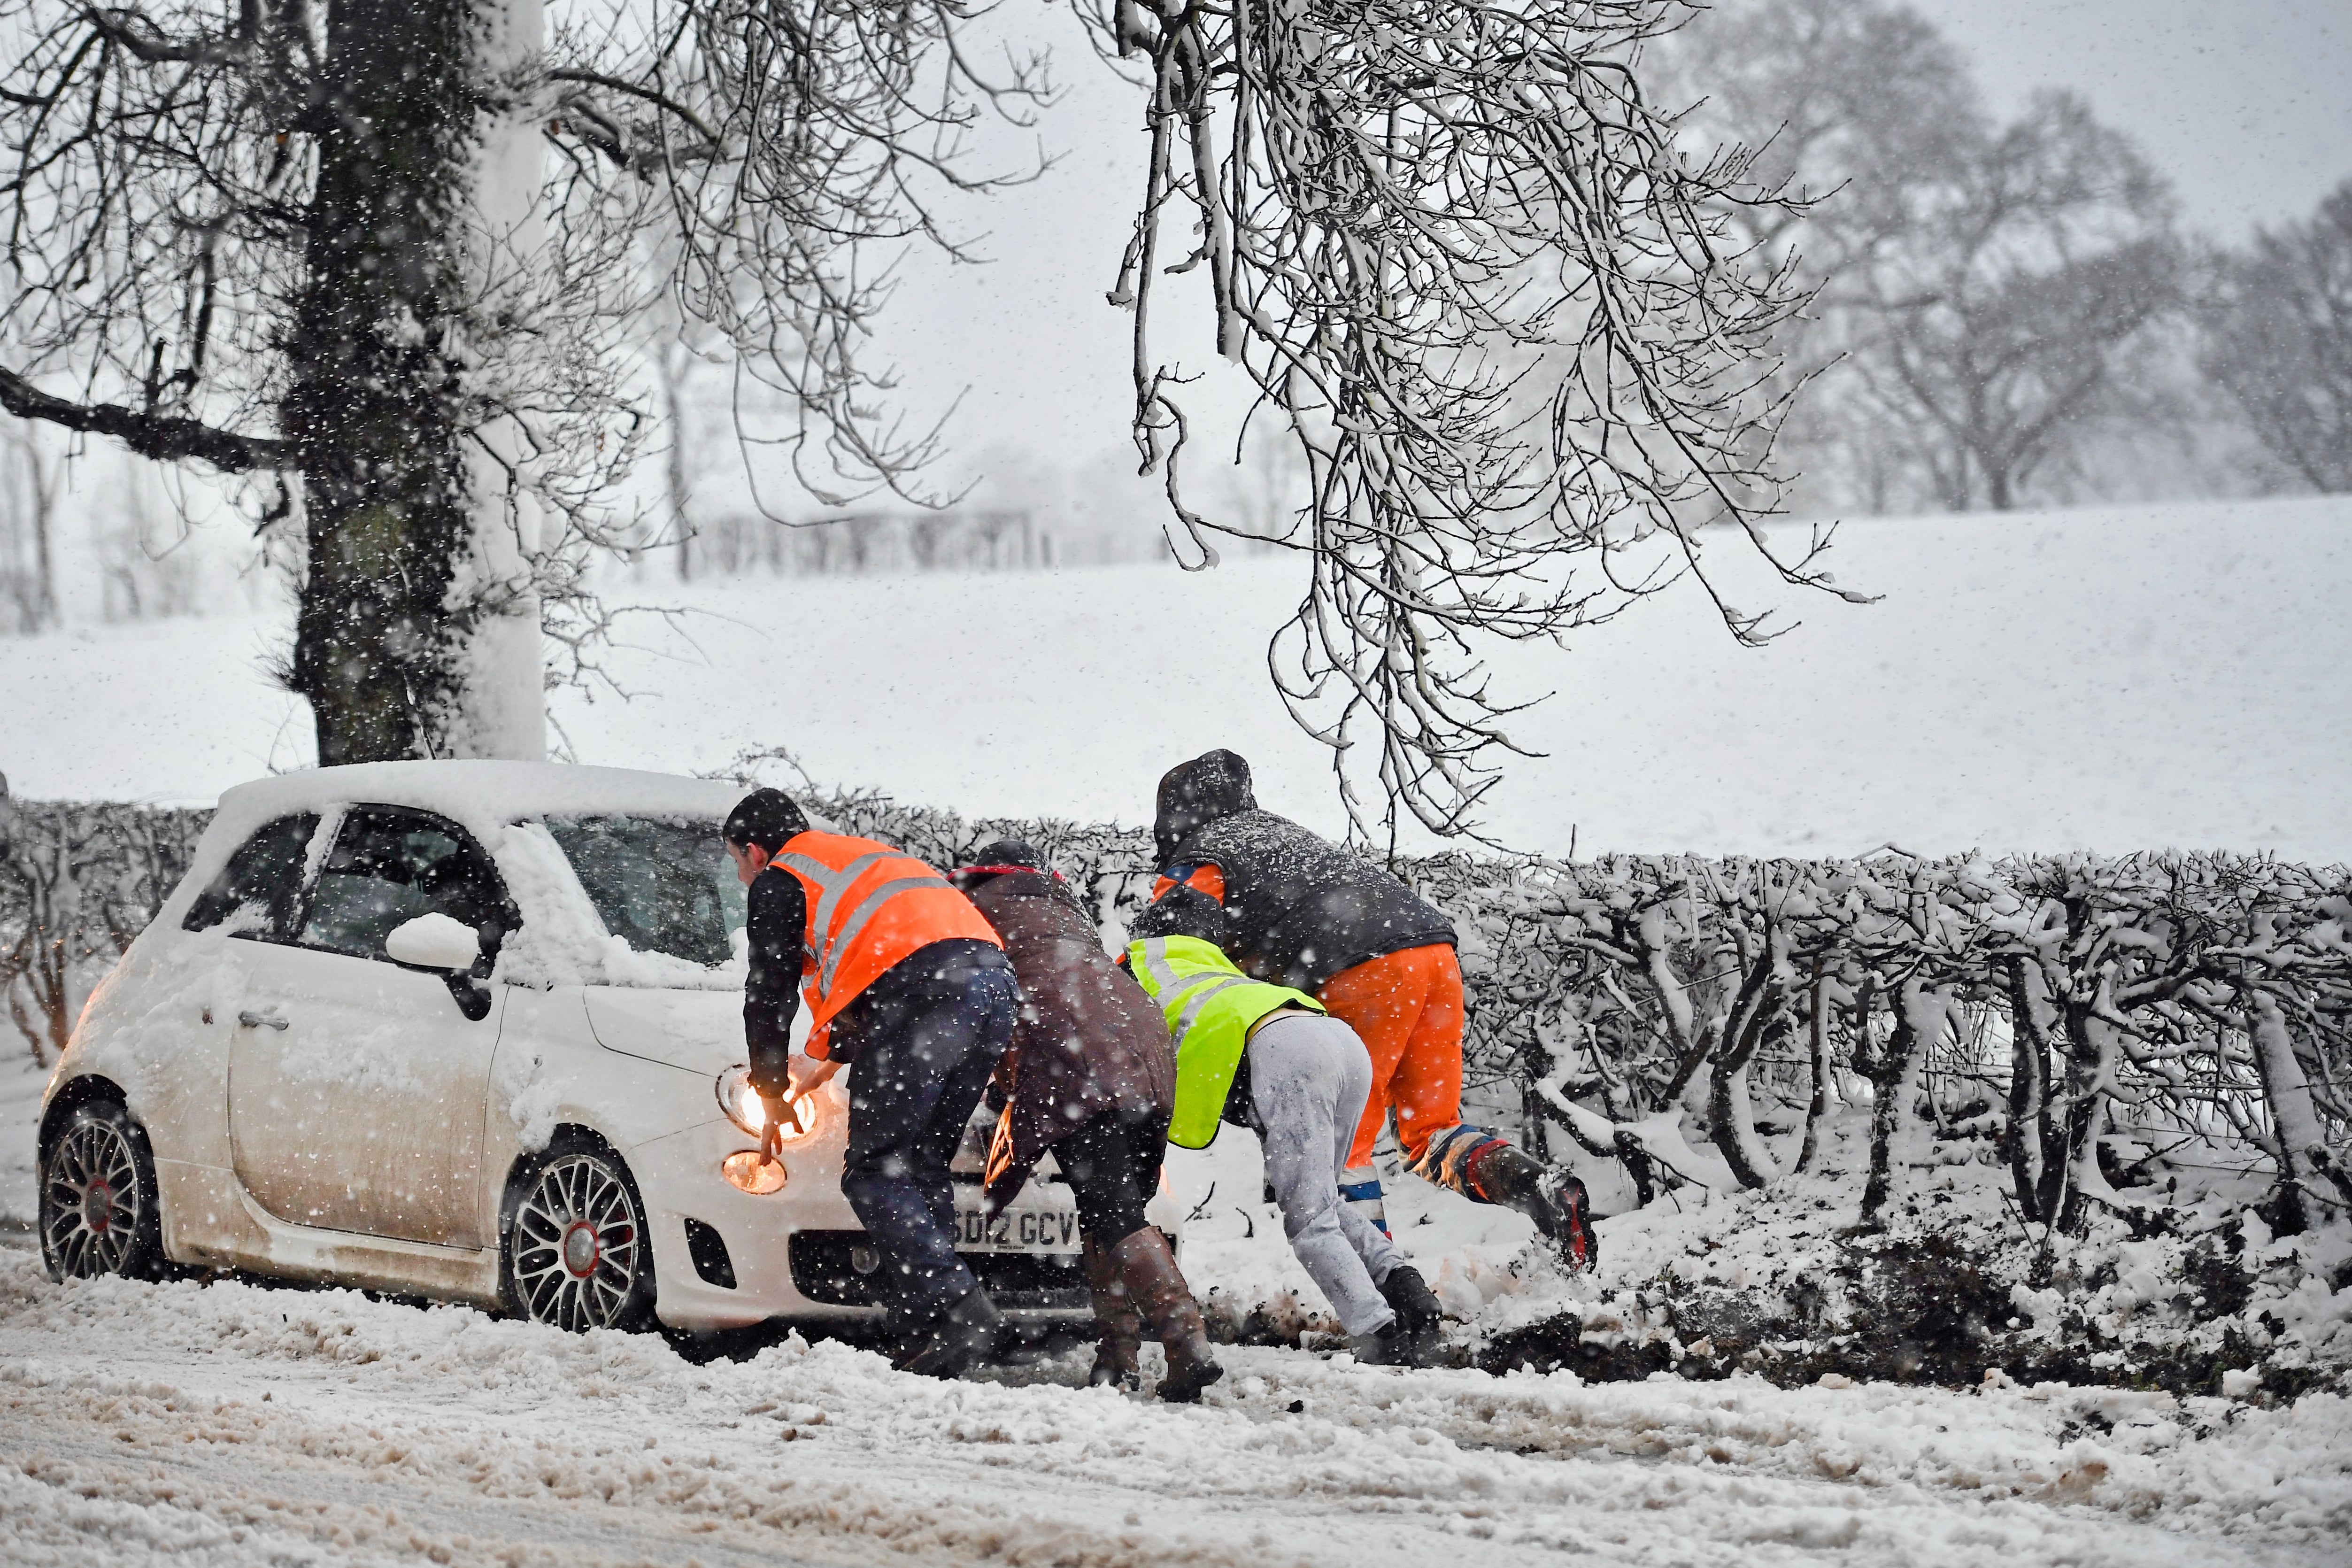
column 1956, row 1289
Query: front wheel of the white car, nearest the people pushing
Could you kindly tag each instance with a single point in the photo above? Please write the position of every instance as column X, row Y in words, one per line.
column 575, row 1247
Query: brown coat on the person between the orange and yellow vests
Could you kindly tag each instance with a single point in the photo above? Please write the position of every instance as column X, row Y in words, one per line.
column 1090, row 1038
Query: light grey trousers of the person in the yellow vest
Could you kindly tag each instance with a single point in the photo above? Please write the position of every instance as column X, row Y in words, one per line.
column 1309, row 1080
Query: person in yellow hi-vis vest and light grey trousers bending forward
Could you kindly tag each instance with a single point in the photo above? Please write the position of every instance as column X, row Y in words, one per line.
column 1276, row 1059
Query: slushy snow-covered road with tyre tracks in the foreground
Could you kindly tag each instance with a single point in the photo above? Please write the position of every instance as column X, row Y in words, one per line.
column 234, row 1426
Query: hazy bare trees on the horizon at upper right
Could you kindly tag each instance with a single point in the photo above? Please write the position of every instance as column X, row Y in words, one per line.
column 2010, row 311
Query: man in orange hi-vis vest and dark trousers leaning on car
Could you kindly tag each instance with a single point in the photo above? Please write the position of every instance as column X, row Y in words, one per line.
column 909, row 989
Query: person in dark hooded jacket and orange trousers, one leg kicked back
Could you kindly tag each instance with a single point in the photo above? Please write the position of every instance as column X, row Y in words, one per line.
column 1304, row 913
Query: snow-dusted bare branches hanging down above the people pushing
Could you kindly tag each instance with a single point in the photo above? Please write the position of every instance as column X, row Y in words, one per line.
column 1504, row 321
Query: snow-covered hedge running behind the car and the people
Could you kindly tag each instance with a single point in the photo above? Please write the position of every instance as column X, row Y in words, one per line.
column 2116, row 1031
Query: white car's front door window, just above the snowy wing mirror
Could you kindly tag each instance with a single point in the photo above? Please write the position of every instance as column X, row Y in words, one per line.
column 387, row 869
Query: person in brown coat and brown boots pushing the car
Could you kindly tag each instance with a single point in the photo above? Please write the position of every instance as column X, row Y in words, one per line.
column 1093, row 1080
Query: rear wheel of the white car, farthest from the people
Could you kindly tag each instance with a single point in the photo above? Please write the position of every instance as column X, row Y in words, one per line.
column 100, row 1209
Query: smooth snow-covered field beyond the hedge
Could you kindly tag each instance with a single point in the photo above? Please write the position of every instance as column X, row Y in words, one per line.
column 2109, row 678
